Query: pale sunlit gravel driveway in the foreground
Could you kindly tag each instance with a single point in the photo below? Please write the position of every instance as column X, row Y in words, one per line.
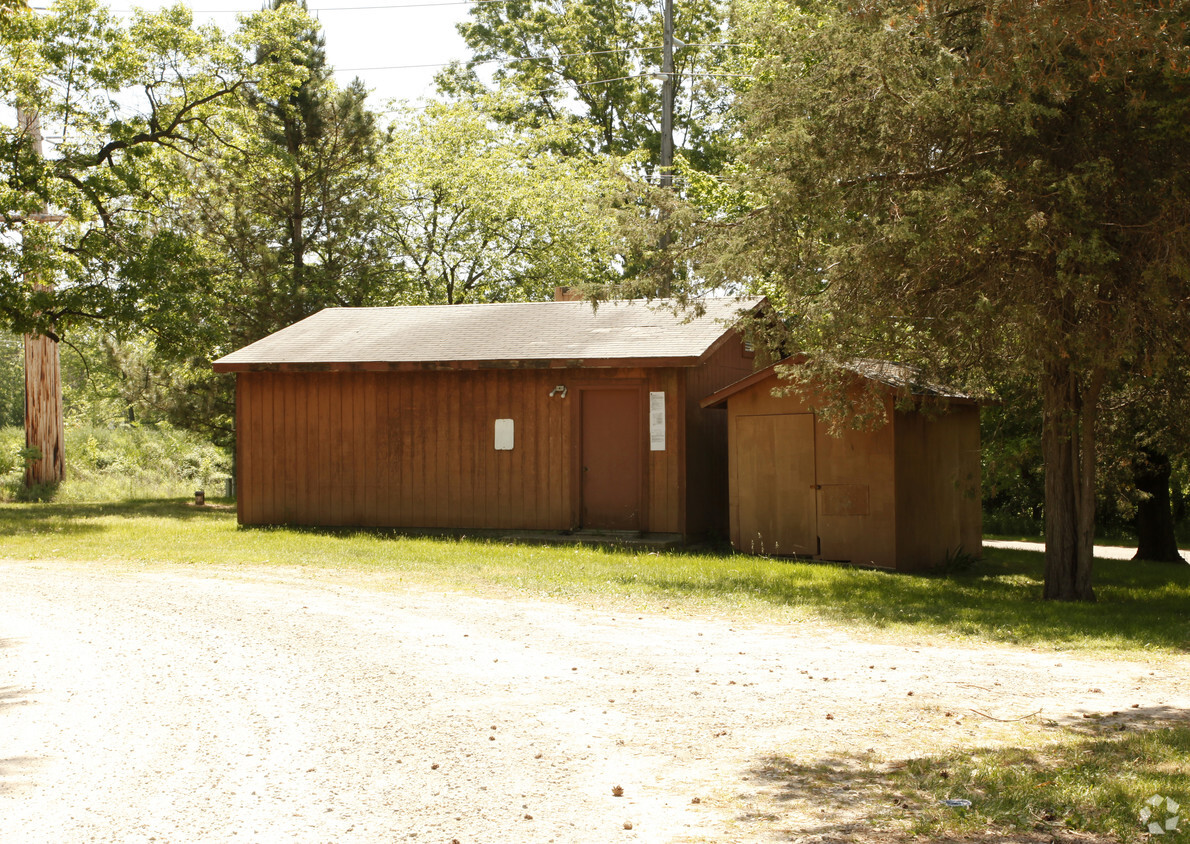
column 277, row 705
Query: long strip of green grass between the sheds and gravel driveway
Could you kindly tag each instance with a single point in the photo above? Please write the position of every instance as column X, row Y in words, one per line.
column 1143, row 608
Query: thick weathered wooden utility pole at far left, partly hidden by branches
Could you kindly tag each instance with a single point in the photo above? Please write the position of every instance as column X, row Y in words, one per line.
column 43, row 374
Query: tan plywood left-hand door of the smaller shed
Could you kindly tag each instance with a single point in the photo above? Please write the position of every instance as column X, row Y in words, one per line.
column 775, row 485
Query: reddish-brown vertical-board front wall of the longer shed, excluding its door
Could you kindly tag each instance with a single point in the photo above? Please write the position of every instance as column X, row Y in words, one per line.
column 417, row 449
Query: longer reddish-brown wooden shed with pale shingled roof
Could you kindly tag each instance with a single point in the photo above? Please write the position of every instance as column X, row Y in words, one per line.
column 540, row 417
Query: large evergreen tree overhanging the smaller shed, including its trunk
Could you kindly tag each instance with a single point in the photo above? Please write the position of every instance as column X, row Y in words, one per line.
column 991, row 191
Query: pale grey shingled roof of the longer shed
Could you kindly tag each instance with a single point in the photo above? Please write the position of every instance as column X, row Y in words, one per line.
column 500, row 336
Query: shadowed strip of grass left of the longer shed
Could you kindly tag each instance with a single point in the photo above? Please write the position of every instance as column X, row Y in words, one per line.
column 65, row 517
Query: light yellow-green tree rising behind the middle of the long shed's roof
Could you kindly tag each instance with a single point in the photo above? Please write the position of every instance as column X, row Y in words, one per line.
column 483, row 212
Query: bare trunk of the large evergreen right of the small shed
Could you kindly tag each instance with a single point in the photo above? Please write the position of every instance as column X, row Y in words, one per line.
column 1068, row 448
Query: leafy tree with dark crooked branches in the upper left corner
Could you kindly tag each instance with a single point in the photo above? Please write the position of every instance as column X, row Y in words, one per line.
column 116, row 102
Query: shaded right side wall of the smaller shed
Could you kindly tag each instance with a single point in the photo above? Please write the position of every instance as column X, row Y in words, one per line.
column 938, row 483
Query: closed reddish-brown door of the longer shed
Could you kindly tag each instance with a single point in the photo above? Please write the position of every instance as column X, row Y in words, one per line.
column 612, row 458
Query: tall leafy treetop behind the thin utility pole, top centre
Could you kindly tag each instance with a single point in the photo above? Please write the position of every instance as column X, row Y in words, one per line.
column 594, row 62
